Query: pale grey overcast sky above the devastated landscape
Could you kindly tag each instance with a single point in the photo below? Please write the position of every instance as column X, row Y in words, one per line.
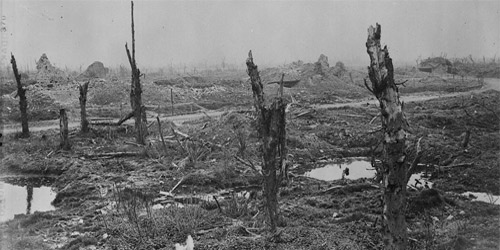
column 74, row 33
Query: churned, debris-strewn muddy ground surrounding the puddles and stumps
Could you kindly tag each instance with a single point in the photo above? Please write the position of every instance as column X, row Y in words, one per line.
column 153, row 196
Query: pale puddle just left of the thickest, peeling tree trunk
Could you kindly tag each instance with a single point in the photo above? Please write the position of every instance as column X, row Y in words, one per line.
column 358, row 168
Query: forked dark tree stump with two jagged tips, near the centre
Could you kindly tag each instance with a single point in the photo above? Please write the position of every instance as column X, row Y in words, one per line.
column 271, row 122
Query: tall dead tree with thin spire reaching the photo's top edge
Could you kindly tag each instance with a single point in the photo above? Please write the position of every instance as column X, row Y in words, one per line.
column 135, row 90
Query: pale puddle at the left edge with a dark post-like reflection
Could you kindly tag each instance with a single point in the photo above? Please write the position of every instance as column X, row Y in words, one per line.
column 25, row 198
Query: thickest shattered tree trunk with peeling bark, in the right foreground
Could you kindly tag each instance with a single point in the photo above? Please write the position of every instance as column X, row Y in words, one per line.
column 394, row 124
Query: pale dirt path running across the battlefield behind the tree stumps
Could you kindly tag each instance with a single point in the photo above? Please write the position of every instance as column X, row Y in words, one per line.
column 489, row 83
